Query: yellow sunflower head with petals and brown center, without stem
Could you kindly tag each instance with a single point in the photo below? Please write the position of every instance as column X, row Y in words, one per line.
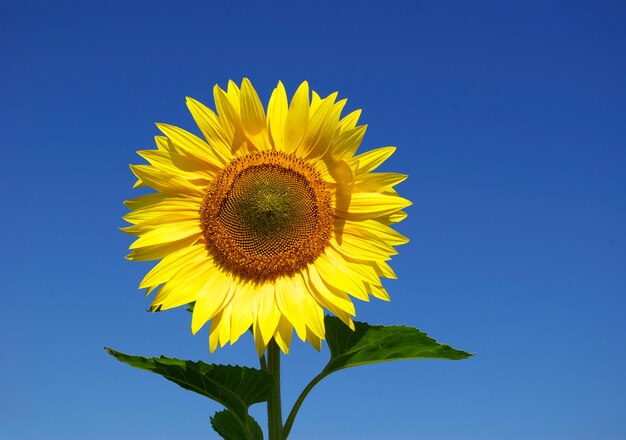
column 269, row 220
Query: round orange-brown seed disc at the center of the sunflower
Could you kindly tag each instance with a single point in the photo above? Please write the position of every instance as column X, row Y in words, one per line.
column 266, row 215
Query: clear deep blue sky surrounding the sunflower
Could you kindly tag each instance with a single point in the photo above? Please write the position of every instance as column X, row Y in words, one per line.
column 510, row 119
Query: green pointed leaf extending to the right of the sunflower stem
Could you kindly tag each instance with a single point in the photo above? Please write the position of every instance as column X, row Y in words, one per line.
column 369, row 344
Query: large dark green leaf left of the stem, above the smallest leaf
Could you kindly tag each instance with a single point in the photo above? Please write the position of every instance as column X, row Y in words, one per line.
column 234, row 387
